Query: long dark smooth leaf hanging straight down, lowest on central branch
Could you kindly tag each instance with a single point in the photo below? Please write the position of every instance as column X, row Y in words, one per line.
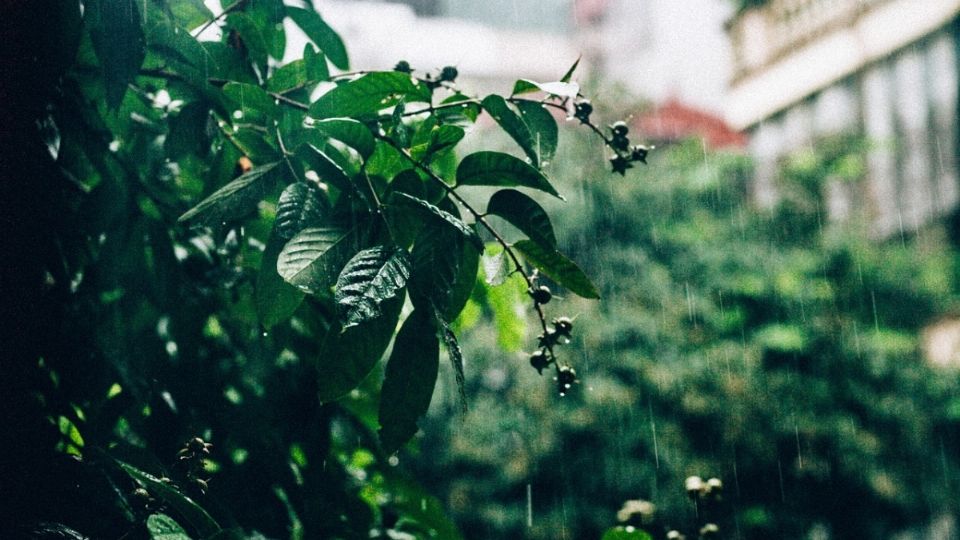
column 408, row 382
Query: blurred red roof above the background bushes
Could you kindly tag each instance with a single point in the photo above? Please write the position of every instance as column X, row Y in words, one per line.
column 674, row 121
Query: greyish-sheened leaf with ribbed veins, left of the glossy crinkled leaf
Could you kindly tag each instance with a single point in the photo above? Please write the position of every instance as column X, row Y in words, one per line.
column 312, row 260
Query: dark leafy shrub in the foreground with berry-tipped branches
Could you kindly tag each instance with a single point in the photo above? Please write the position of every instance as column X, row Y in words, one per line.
column 234, row 243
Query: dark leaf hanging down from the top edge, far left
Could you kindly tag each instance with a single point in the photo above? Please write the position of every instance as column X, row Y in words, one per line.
column 117, row 36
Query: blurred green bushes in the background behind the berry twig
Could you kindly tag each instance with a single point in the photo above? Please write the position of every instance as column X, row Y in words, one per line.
column 775, row 350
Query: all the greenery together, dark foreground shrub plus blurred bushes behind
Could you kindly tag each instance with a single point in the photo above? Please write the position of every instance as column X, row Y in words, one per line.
column 213, row 251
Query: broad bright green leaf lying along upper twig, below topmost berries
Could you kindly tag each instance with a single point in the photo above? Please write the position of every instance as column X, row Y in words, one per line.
column 367, row 95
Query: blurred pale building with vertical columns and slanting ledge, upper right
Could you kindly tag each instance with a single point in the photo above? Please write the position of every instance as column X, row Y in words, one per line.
column 884, row 70
